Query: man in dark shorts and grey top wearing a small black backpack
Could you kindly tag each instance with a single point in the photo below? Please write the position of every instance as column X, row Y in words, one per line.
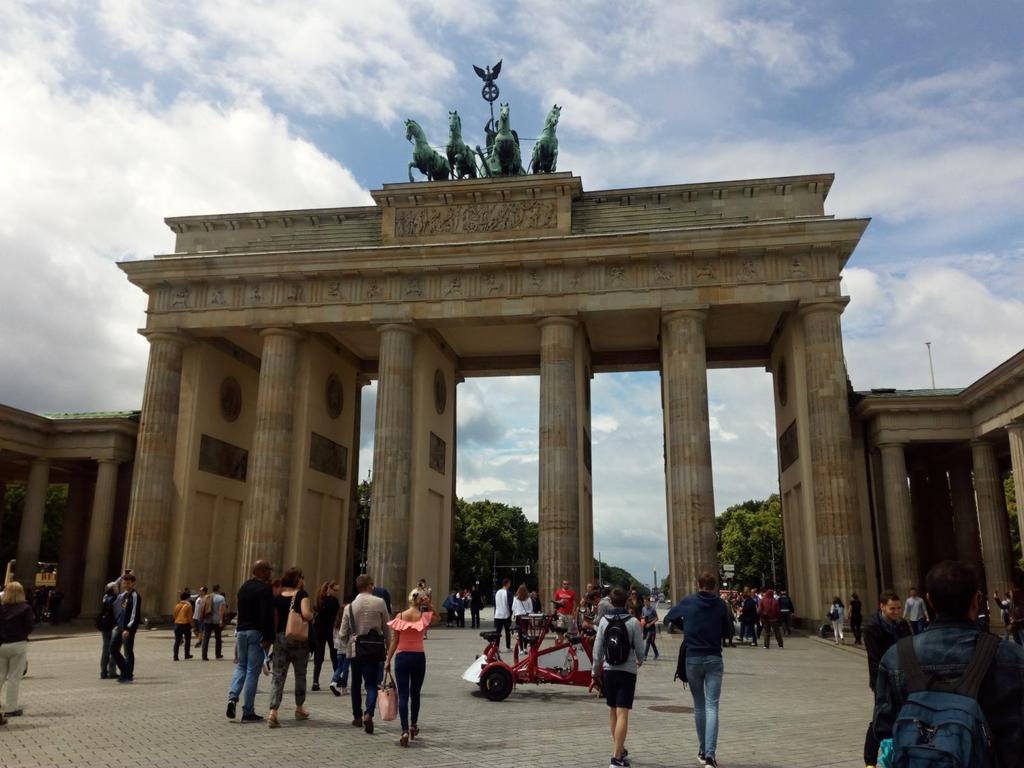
column 618, row 655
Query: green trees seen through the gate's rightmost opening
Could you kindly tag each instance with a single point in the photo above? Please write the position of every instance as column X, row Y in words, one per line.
column 746, row 535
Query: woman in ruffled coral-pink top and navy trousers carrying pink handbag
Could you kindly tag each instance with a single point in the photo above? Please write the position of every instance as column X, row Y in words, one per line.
column 411, row 665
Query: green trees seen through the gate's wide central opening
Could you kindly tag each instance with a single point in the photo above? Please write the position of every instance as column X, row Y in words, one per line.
column 487, row 533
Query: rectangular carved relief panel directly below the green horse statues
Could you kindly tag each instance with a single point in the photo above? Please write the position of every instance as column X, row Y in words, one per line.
column 484, row 218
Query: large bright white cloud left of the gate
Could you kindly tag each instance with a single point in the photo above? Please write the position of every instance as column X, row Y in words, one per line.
column 89, row 179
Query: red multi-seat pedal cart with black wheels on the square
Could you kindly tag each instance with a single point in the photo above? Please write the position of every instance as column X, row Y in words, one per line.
column 568, row 662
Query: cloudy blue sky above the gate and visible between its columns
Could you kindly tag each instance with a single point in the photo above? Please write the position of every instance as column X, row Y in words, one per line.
column 119, row 113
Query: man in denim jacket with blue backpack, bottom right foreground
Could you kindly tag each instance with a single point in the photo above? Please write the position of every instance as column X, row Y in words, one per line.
column 952, row 680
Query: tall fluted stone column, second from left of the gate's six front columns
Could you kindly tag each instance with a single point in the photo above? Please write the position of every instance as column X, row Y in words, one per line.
column 270, row 470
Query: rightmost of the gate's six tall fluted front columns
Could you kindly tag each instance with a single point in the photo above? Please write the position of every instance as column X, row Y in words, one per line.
column 840, row 544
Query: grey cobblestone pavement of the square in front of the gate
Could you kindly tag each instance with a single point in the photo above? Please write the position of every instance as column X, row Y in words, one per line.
column 807, row 705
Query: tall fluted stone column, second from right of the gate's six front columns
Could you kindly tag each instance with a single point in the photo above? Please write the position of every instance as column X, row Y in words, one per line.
column 688, row 442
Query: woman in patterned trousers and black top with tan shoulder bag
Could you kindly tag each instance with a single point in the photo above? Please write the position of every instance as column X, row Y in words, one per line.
column 292, row 616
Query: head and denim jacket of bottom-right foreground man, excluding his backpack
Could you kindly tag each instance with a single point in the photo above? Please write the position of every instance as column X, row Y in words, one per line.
column 946, row 650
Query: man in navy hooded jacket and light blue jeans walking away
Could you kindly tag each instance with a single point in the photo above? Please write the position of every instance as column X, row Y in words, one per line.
column 705, row 619
